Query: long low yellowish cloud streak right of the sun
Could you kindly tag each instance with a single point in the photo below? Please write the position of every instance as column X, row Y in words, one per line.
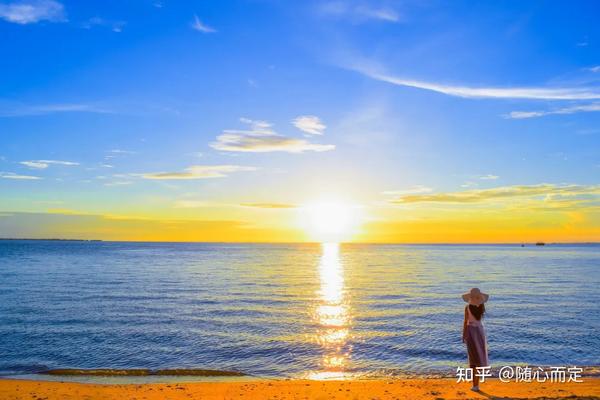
column 499, row 193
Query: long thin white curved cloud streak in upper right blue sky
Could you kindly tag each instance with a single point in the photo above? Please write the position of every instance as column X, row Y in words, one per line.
column 540, row 93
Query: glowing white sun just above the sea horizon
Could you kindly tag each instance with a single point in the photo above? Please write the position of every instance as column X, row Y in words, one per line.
column 330, row 221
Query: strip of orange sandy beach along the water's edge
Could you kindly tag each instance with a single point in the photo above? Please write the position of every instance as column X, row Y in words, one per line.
column 417, row 389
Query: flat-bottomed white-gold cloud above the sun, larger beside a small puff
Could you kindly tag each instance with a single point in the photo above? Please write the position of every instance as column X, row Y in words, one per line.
column 261, row 138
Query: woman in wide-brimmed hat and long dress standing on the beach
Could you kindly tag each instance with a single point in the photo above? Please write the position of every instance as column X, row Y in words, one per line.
column 473, row 332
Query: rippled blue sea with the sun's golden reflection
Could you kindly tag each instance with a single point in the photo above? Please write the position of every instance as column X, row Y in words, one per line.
column 314, row 311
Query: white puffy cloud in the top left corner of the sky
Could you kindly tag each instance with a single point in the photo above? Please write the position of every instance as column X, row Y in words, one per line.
column 31, row 12
